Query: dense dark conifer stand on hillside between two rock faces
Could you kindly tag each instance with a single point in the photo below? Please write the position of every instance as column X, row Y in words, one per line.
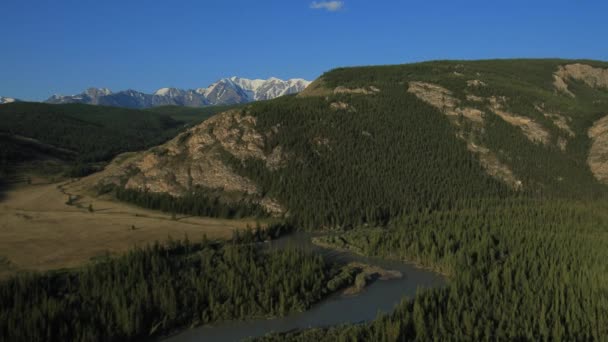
column 393, row 154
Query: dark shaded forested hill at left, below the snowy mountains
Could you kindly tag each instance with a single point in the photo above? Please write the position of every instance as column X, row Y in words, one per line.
column 84, row 134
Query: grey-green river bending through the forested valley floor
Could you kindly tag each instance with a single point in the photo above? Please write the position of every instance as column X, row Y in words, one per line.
column 379, row 296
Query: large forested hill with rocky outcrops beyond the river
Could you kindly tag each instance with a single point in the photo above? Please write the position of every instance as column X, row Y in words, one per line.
column 362, row 145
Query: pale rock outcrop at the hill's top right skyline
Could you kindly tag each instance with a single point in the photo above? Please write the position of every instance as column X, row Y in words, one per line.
column 591, row 76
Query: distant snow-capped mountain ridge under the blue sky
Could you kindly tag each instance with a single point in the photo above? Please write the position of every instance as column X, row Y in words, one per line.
column 227, row 91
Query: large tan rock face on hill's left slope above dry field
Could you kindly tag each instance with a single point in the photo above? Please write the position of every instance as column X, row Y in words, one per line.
column 194, row 158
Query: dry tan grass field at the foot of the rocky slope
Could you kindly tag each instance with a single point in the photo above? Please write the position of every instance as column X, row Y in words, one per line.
column 39, row 231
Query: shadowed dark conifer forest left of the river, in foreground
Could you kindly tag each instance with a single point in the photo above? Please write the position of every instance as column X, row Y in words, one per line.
column 153, row 290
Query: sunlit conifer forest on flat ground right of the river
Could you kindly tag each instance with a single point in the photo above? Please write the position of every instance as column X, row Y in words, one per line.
column 519, row 270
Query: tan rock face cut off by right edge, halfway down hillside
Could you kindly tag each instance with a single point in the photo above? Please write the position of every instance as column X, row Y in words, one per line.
column 598, row 154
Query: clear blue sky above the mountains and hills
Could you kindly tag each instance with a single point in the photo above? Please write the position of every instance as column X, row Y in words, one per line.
column 61, row 46
